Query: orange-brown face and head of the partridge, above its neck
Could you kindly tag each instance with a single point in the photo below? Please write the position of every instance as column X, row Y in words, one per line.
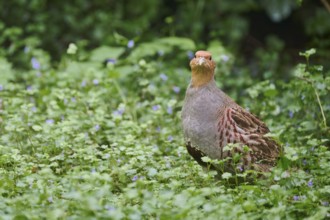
column 202, row 62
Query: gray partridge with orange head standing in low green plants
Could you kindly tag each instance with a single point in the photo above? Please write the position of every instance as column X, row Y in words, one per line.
column 211, row 120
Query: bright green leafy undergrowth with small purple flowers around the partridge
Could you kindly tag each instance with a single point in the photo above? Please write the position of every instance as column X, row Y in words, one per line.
column 103, row 140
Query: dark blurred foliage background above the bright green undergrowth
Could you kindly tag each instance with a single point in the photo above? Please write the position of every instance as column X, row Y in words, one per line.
column 243, row 26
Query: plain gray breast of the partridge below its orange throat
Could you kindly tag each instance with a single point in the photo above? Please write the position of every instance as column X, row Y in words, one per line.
column 200, row 119
